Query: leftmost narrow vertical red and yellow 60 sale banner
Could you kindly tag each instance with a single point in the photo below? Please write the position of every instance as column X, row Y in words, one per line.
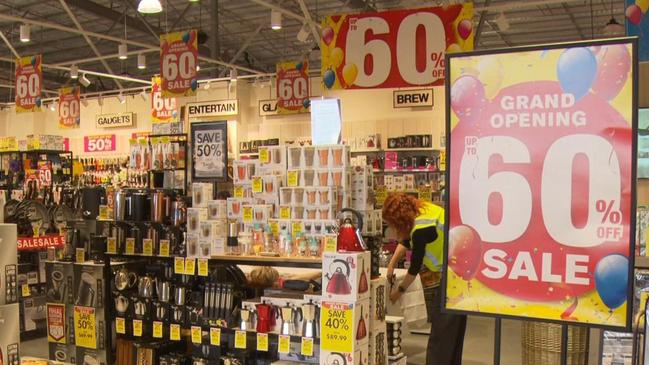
column 29, row 82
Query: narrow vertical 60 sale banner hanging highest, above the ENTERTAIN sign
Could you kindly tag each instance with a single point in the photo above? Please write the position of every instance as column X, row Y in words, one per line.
column 178, row 60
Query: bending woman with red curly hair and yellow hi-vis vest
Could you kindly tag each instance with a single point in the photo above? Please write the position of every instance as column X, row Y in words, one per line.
column 420, row 228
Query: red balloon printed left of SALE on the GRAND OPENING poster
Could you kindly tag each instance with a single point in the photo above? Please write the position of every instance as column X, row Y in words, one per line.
column 464, row 251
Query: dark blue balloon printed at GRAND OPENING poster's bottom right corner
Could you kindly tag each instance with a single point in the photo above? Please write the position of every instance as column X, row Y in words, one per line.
column 611, row 279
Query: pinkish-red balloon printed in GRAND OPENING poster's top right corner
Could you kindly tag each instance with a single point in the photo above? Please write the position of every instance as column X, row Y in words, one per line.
column 613, row 67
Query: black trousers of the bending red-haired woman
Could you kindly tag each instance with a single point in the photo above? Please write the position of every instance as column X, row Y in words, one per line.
column 446, row 333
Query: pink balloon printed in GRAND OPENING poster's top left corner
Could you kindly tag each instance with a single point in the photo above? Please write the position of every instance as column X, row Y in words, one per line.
column 467, row 98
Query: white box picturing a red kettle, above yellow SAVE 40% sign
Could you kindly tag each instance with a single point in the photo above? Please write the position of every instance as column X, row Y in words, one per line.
column 346, row 276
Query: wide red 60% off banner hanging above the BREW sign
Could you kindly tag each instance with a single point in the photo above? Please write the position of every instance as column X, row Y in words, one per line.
column 392, row 49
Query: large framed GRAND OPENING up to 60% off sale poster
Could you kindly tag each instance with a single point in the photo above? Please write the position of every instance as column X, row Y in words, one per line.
column 541, row 177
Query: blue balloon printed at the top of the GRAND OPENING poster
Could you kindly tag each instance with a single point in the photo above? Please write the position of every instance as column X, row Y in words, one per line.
column 576, row 71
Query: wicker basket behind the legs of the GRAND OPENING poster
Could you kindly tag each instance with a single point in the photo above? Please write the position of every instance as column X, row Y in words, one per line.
column 541, row 343
